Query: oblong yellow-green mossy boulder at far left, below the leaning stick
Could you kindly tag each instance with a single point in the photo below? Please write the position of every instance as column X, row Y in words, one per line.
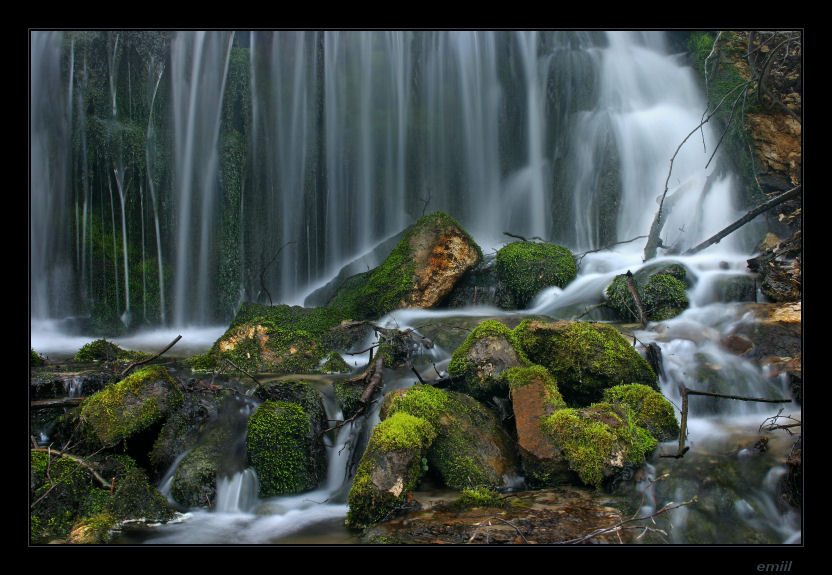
column 135, row 404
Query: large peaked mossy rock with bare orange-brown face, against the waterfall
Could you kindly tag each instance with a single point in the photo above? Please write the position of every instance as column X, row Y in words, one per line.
column 420, row 272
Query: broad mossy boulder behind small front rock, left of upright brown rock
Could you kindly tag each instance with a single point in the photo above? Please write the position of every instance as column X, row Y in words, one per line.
column 471, row 448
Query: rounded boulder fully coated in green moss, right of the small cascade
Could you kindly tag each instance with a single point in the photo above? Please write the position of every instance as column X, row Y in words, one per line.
column 284, row 449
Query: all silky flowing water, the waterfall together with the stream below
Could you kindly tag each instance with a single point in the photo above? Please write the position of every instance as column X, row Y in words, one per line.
column 353, row 136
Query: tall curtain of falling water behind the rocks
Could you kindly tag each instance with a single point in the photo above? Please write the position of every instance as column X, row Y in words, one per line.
column 267, row 160
